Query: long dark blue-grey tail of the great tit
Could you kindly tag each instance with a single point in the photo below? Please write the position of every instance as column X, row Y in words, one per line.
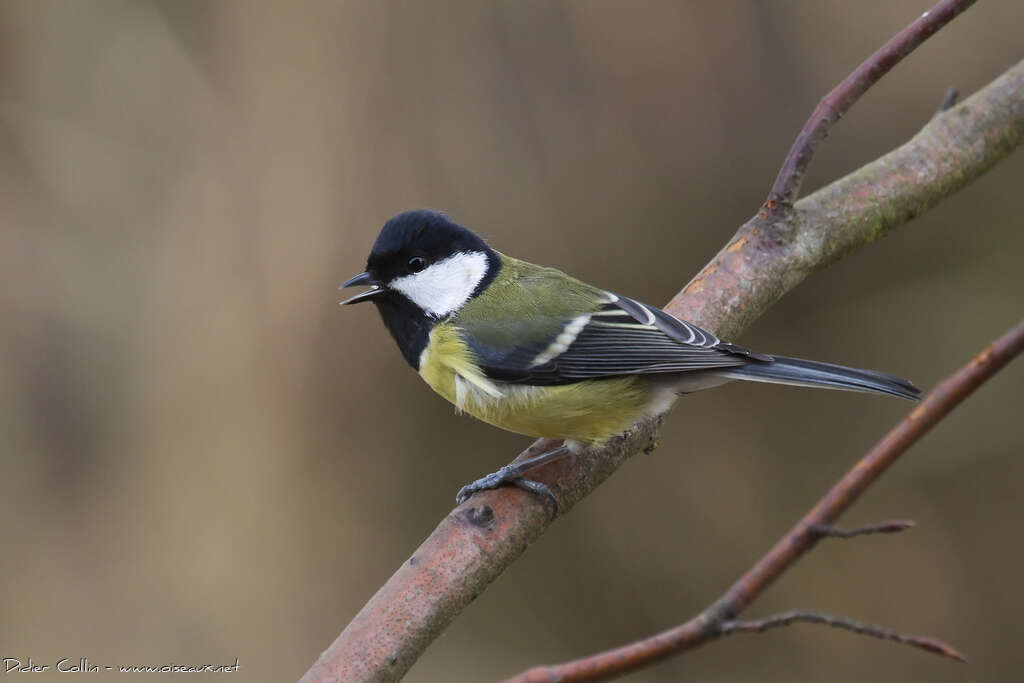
column 812, row 373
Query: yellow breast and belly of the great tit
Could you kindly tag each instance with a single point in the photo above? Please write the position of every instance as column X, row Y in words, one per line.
column 589, row 412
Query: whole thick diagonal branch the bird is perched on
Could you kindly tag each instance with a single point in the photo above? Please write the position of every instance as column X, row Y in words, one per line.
column 765, row 260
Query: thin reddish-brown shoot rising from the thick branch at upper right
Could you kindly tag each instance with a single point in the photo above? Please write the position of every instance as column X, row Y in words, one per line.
column 836, row 104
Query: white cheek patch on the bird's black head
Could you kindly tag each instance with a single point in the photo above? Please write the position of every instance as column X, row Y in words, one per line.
column 445, row 287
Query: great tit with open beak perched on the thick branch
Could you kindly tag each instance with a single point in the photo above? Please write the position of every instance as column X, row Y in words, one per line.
column 536, row 352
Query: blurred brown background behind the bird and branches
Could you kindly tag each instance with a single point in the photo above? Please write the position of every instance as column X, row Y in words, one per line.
column 204, row 458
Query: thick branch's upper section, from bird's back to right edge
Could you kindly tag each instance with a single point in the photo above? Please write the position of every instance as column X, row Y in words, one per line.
column 769, row 258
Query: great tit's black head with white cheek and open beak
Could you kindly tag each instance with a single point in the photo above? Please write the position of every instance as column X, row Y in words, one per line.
column 423, row 269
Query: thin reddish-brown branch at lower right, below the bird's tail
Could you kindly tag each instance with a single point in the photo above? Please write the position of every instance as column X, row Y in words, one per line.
column 709, row 624
